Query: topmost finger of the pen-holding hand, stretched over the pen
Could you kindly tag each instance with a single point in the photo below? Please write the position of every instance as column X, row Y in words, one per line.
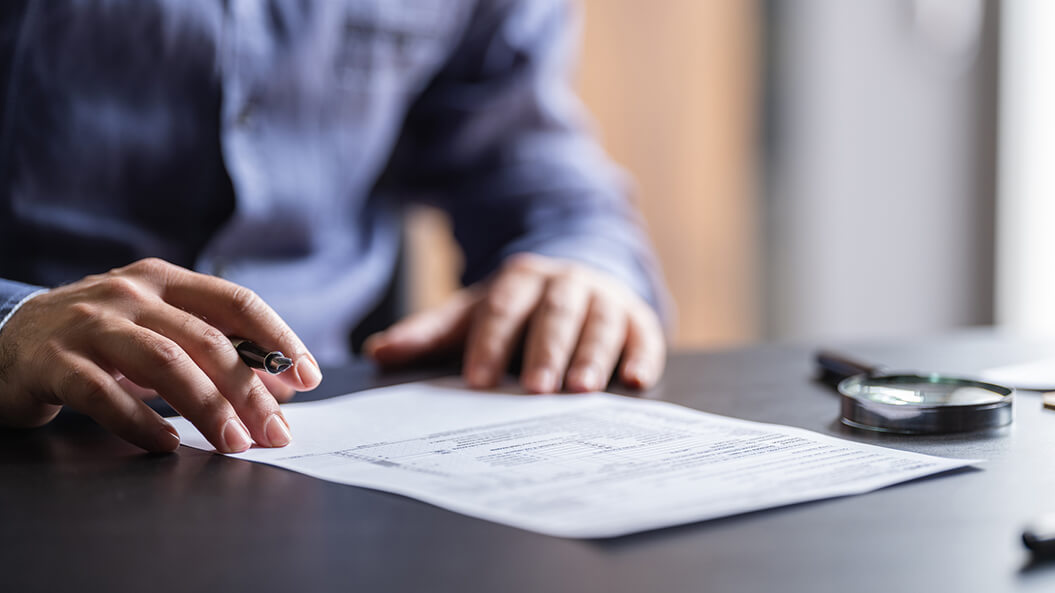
column 236, row 311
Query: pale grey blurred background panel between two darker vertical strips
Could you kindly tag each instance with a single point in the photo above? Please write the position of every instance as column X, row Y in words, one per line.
column 881, row 166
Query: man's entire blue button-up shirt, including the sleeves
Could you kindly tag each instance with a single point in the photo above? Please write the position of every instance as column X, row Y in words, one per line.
column 276, row 144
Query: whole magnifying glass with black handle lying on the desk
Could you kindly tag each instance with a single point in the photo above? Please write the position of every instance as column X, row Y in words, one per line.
column 911, row 404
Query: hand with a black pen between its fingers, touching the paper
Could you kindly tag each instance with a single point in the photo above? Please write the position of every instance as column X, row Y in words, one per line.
column 150, row 328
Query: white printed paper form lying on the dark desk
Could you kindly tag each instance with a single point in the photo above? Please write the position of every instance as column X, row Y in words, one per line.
column 573, row 466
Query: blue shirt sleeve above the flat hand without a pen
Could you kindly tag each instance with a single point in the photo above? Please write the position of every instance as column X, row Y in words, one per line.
column 501, row 142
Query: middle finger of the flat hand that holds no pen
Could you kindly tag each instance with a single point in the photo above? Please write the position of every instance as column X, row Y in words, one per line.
column 553, row 333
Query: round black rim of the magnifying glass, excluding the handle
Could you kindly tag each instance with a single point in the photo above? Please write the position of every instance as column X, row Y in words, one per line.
column 930, row 418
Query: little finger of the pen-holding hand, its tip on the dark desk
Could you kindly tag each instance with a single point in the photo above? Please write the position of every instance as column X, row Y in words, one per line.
column 88, row 389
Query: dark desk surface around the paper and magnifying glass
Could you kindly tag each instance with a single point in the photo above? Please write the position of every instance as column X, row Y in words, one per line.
column 80, row 508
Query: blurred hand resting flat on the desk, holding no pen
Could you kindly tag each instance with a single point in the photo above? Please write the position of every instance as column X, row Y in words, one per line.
column 577, row 326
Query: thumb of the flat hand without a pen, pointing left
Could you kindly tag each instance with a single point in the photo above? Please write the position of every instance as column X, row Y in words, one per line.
column 434, row 332
